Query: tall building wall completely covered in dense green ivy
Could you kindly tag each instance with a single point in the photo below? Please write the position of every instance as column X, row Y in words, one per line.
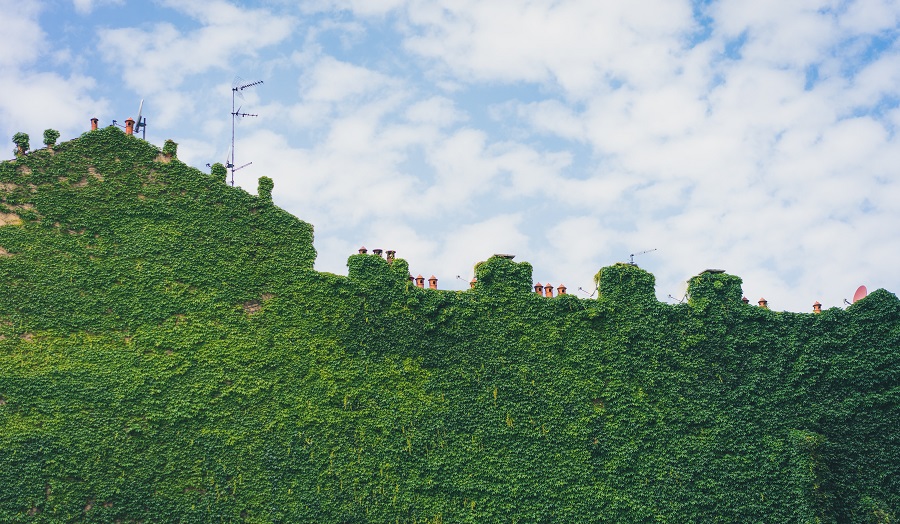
column 168, row 354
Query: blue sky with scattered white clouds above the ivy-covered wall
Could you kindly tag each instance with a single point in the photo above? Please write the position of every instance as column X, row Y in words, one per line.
column 755, row 137
